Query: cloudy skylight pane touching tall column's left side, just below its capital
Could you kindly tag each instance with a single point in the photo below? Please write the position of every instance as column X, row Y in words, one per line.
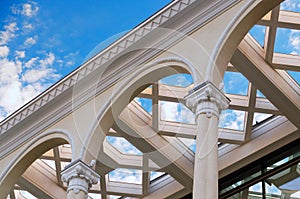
column 176, row 112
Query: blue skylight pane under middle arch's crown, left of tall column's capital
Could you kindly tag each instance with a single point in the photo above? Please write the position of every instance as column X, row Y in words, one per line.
column 180, row 80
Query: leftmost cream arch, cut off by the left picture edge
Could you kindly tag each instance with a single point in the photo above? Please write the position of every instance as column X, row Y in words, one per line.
column 32, row 151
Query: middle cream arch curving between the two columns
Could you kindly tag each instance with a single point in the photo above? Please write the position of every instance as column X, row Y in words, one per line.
column 125, row 91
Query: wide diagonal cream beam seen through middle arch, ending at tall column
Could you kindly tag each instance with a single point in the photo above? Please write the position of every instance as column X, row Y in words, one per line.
column 163, row 153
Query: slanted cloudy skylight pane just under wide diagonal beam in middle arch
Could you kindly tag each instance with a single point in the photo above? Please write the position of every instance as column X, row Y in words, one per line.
column 122, row 145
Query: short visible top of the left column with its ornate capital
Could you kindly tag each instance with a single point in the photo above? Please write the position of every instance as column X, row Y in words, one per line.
column 80, row 178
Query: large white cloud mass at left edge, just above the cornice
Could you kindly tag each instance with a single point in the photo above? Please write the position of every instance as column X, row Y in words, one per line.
column 22, row 81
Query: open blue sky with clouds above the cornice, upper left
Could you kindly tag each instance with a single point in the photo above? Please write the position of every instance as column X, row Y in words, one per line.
column 42, row 41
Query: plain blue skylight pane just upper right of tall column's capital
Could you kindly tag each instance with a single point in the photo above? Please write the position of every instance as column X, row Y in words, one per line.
column 235, row 83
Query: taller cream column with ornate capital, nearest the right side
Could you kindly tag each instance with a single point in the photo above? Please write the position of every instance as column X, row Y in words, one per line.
column 206, row 101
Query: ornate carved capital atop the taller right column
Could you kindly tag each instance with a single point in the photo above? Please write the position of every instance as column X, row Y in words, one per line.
column 207, row 98
